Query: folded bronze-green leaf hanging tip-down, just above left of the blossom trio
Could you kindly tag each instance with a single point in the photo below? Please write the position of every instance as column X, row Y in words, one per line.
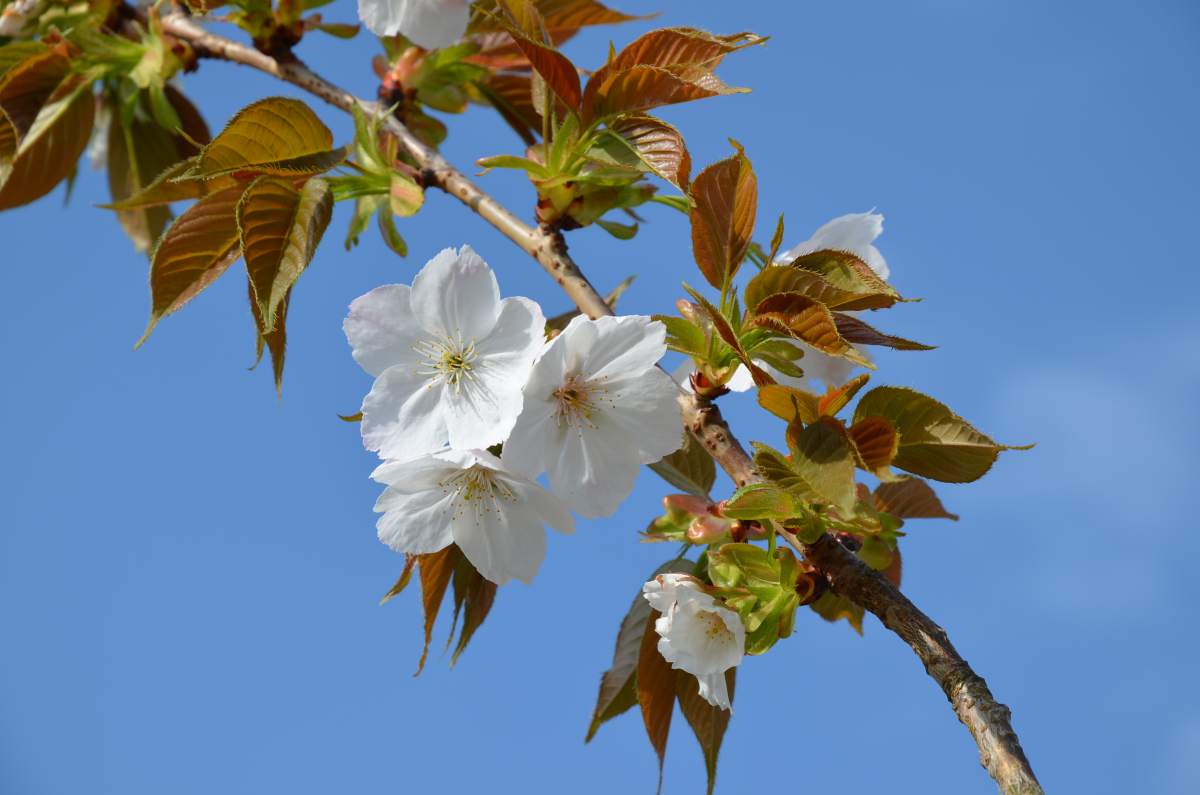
column 280, row 230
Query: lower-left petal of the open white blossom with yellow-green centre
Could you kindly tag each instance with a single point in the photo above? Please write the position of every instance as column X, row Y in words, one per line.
column 404, row 416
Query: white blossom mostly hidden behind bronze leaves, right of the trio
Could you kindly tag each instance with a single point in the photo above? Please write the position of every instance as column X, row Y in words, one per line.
column 855, row 234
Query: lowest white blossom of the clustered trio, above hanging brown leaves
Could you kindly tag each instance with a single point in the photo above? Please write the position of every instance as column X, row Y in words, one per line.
column 467, row 498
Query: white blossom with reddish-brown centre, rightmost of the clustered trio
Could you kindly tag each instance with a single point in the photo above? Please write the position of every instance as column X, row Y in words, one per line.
column 596, row 410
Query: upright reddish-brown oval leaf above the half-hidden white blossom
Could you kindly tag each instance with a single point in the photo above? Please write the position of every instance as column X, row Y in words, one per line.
column 727, row 200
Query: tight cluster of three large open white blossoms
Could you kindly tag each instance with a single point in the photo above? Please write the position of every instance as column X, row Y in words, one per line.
column 460, row 370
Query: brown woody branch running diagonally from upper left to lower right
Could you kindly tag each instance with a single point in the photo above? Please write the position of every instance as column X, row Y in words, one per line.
column 1000, row 750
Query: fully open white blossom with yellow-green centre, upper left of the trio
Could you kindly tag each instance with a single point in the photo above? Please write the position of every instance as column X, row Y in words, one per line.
column 448, row 355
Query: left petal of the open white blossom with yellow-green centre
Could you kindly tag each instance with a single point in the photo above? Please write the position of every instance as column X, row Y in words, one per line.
column 381, row 330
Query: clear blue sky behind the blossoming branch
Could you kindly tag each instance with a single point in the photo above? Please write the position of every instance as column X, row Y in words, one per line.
column 189, row 571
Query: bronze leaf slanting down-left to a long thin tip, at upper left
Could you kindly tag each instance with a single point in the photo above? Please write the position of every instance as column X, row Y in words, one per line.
column 194, row 253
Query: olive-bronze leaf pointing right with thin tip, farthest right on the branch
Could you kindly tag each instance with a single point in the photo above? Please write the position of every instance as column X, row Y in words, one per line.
column 934, row 441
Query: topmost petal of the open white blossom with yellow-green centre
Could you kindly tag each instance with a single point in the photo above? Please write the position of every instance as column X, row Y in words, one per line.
column 457, row 297
